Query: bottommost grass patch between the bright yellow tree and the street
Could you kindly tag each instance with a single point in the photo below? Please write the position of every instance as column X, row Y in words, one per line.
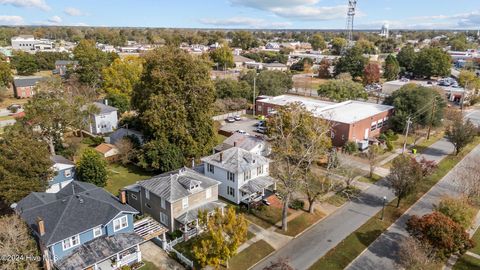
column 250, row 256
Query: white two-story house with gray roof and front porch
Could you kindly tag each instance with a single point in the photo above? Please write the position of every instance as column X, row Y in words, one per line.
column 244, row 176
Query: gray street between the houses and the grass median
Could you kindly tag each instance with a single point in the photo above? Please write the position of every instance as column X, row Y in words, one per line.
column 313, row 244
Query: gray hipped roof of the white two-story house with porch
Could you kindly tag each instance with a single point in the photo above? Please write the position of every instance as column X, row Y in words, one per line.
column 236, row 160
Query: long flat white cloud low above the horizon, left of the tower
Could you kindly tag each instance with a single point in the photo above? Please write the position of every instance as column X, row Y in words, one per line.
column 244, row 22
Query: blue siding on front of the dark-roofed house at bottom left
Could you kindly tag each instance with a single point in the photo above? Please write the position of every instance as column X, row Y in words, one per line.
column 57, row 248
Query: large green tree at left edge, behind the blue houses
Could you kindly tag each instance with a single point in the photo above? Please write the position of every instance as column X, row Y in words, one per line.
column 24, row 164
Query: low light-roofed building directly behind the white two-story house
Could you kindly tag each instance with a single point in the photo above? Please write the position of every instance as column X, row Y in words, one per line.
column 250, row 143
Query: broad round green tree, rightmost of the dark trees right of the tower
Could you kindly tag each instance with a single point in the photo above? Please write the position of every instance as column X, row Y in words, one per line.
column 432, row 62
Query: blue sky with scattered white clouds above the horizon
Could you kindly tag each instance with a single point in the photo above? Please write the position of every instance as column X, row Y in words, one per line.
column 305, row 14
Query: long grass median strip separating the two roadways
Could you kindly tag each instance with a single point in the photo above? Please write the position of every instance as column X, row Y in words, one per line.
column 347, row 250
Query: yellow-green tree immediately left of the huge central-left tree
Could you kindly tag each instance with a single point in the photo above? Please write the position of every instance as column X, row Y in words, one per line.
column 122, row 75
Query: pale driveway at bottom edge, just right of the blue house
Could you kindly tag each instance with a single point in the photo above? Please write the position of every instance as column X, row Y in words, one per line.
column 154, row 254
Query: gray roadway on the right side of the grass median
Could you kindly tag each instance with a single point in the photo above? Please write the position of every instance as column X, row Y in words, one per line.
column 381, row 254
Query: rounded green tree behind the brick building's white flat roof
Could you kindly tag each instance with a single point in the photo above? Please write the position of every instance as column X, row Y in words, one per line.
column 342, row 89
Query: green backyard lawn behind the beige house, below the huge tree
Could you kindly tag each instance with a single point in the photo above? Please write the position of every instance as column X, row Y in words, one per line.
column 120, row 176
